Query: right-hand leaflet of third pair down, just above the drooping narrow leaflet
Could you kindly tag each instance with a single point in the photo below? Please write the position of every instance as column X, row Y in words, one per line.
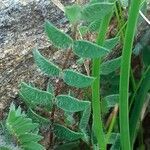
column 71, row 104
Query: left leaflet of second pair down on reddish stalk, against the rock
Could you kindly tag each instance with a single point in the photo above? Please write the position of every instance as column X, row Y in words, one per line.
column 45, row 66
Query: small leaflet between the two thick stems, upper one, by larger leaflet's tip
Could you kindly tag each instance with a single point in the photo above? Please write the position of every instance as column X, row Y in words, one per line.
column 111, row 43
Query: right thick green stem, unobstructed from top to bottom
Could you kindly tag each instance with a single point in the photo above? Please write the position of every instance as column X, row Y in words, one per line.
column 125, row 74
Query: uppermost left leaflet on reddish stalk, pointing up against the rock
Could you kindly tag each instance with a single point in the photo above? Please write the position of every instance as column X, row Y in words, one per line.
column 58, row 38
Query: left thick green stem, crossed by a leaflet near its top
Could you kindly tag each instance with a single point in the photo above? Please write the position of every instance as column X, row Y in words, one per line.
column 97, row 119
